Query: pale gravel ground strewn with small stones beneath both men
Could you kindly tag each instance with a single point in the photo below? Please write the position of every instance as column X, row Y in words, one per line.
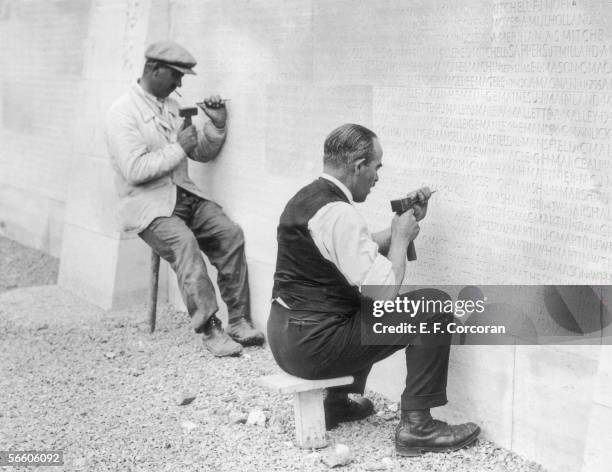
column 98, row 386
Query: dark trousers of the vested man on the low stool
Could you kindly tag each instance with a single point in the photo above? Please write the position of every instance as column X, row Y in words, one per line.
column 316, row 345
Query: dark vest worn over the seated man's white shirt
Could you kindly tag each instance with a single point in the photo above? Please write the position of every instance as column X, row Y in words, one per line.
column 304, row 279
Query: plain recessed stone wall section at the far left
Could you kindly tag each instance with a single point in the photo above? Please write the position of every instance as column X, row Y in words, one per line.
column 43, row 45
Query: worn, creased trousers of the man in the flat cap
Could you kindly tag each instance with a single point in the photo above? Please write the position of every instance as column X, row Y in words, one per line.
column 198, row 224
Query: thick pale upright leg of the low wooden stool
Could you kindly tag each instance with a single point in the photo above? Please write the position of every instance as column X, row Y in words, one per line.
column 309, row 419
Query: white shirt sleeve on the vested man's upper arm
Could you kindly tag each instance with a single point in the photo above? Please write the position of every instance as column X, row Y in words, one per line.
column 342, row 236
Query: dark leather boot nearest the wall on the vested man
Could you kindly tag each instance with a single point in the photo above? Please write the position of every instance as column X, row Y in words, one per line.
column 418, row 433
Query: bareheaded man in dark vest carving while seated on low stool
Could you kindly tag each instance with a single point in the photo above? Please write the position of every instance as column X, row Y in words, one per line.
column 325, row 256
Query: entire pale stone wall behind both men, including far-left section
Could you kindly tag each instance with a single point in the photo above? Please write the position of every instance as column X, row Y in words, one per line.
column 501, row 106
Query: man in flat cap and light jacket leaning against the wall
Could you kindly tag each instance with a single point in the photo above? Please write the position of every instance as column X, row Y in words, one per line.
column 149, row 147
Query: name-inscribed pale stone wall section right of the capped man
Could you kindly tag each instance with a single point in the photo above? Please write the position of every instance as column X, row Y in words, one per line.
column 502, row 106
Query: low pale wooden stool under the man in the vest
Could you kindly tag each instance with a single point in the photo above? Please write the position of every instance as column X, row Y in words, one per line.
column 307, row 404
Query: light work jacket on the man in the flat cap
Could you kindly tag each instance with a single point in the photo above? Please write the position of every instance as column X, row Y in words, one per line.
column 141, row 136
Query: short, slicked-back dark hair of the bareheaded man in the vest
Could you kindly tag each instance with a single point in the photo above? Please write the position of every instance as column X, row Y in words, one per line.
column 347, row 144
